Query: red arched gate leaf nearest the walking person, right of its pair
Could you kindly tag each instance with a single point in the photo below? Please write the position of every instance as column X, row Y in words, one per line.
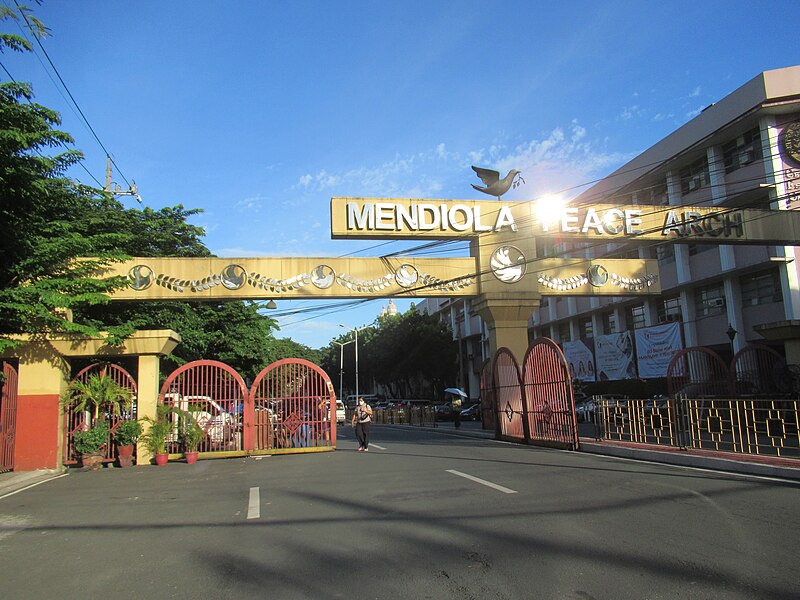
column 294, row 406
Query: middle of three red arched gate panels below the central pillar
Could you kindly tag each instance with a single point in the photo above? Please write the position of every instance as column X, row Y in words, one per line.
column 508, row 395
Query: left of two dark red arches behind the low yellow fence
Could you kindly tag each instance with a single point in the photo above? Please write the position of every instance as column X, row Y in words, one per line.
column 696, row 372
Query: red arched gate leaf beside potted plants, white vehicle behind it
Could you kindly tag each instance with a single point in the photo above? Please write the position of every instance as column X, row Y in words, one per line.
column 216, row 395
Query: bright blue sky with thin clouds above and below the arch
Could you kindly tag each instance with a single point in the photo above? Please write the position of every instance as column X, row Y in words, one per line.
column 258, row 112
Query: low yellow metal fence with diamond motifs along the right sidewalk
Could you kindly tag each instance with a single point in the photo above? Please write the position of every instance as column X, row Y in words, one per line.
column 754, row 426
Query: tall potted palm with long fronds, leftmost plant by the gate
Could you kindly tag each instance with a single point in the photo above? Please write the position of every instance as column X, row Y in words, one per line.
column 99, row 396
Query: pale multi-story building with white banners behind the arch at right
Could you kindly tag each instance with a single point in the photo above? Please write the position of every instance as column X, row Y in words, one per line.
column 743, row 151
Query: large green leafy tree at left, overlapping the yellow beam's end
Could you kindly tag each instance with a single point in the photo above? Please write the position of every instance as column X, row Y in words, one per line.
column 50, row 222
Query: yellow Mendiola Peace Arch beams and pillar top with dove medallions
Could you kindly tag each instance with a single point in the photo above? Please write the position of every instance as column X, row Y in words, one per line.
column 503, row 272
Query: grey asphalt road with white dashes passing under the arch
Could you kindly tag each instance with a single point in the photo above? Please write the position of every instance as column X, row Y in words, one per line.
column 422, row 515
